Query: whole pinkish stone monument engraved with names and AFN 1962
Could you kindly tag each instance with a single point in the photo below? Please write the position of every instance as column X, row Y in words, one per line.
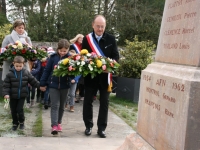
column 169, row 101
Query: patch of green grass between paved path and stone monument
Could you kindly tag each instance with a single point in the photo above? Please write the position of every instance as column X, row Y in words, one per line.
column 125, row 109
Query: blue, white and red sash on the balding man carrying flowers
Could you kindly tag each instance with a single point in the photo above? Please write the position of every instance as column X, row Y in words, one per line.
column 96, row 49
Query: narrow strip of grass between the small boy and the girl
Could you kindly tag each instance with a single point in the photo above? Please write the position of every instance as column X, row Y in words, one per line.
column 37, row 127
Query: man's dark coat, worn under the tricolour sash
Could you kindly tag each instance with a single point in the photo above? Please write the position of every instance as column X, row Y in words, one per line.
column 109, row 47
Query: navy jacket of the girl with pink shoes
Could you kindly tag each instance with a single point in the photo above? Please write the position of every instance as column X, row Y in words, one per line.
column 53, row 81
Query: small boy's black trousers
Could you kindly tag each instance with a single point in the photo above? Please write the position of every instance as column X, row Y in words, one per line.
column 17, row 111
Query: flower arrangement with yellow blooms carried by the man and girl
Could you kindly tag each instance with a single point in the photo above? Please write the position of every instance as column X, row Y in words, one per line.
column 85, row 63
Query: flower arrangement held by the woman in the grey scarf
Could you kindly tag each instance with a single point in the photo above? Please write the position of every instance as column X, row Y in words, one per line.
column 24, row 50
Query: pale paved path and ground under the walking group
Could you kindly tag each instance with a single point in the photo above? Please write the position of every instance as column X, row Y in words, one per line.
column 72, row 137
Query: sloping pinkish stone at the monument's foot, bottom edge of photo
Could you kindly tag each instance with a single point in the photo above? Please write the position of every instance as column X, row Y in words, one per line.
column 135, row 142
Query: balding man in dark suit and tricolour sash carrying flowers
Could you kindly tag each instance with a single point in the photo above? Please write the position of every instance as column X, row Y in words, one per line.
column 106, row 43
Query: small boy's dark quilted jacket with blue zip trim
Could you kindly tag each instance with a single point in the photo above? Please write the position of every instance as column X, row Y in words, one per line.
column 16, row 83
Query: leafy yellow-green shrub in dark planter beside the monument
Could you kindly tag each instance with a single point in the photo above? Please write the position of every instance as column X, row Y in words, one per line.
column 135, row 57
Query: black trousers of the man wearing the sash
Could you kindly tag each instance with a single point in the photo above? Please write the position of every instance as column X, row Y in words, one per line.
column 103, row 108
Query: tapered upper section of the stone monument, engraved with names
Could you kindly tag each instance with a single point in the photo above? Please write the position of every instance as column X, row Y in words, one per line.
column 179, row 39
